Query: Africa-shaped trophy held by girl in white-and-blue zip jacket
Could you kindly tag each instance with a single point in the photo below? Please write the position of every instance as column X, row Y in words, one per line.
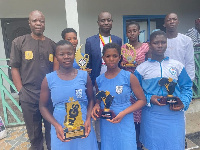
column 170, row 87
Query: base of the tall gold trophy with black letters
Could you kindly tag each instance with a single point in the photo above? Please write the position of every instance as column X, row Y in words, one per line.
column 73, row 134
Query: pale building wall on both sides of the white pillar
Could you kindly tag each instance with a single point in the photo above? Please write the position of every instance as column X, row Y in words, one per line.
column 88, row 11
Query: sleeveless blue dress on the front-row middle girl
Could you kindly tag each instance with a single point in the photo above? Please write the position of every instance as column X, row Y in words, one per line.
column 118, row 136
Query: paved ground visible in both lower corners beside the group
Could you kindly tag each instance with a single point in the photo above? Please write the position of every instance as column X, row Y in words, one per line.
column 17, row 138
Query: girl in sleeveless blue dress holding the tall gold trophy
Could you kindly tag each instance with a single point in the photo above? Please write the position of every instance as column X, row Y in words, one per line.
column 63, row 84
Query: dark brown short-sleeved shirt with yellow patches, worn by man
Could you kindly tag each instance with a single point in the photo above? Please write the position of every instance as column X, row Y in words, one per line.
column 34, row 58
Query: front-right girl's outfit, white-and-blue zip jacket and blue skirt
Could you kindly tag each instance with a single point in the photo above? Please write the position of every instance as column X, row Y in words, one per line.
column 162, row 128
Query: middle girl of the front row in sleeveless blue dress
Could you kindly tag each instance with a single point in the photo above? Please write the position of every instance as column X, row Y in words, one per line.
column 119, row 132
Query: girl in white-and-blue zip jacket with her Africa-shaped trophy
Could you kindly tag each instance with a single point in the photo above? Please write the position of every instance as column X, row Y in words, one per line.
column 168, row 90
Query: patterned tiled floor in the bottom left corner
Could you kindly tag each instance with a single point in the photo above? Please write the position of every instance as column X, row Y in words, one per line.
column 17, row 139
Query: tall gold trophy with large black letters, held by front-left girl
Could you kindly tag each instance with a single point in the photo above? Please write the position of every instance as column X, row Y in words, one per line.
column 74, row 125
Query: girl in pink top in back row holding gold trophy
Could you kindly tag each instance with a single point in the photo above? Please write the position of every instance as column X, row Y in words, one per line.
column 136, row 52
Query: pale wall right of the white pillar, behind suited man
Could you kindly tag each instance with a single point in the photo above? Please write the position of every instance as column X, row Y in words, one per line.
column 88, row 10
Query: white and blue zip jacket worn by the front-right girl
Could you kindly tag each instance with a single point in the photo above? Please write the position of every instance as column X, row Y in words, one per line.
column 151, row 71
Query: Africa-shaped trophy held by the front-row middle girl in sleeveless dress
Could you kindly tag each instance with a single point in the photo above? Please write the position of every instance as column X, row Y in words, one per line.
column 107, row 99
